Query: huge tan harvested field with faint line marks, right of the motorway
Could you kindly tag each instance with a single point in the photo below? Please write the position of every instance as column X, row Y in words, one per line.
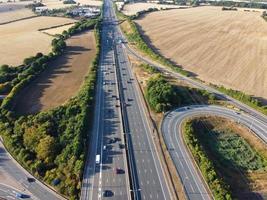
column 222, row 47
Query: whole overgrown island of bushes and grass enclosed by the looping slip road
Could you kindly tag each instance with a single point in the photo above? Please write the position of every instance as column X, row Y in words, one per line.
column 227, row 160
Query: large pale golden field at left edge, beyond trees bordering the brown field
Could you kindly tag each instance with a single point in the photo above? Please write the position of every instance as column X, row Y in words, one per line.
column 21, row 39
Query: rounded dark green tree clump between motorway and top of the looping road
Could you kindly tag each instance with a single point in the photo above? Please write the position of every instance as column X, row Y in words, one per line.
column 160, row 94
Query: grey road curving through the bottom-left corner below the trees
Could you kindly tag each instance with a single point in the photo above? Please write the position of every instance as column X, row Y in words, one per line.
column 36, row 190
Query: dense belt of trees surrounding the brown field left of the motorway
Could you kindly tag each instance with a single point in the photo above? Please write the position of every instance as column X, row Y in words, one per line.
column 52, row 144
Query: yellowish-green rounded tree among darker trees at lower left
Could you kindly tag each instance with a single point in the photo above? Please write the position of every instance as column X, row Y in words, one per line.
column 47, row 149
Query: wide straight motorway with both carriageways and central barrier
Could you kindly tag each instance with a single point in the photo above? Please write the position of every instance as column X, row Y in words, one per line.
column 119, row 109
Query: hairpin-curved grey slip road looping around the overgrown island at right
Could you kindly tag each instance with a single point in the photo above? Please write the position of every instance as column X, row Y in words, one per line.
column 194, row 186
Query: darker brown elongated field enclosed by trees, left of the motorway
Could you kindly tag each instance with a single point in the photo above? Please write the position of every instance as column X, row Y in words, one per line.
column 62, row 79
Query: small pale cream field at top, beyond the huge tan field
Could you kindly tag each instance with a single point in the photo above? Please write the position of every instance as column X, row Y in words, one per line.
column 133, row 8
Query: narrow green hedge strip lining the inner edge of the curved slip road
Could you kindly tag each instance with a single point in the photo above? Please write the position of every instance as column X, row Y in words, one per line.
column 219, row 189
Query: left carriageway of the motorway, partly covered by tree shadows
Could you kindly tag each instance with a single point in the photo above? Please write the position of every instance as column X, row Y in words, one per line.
column 107, row 132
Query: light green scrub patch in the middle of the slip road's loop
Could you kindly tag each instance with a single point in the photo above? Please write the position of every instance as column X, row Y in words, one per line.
column 232, row 150
